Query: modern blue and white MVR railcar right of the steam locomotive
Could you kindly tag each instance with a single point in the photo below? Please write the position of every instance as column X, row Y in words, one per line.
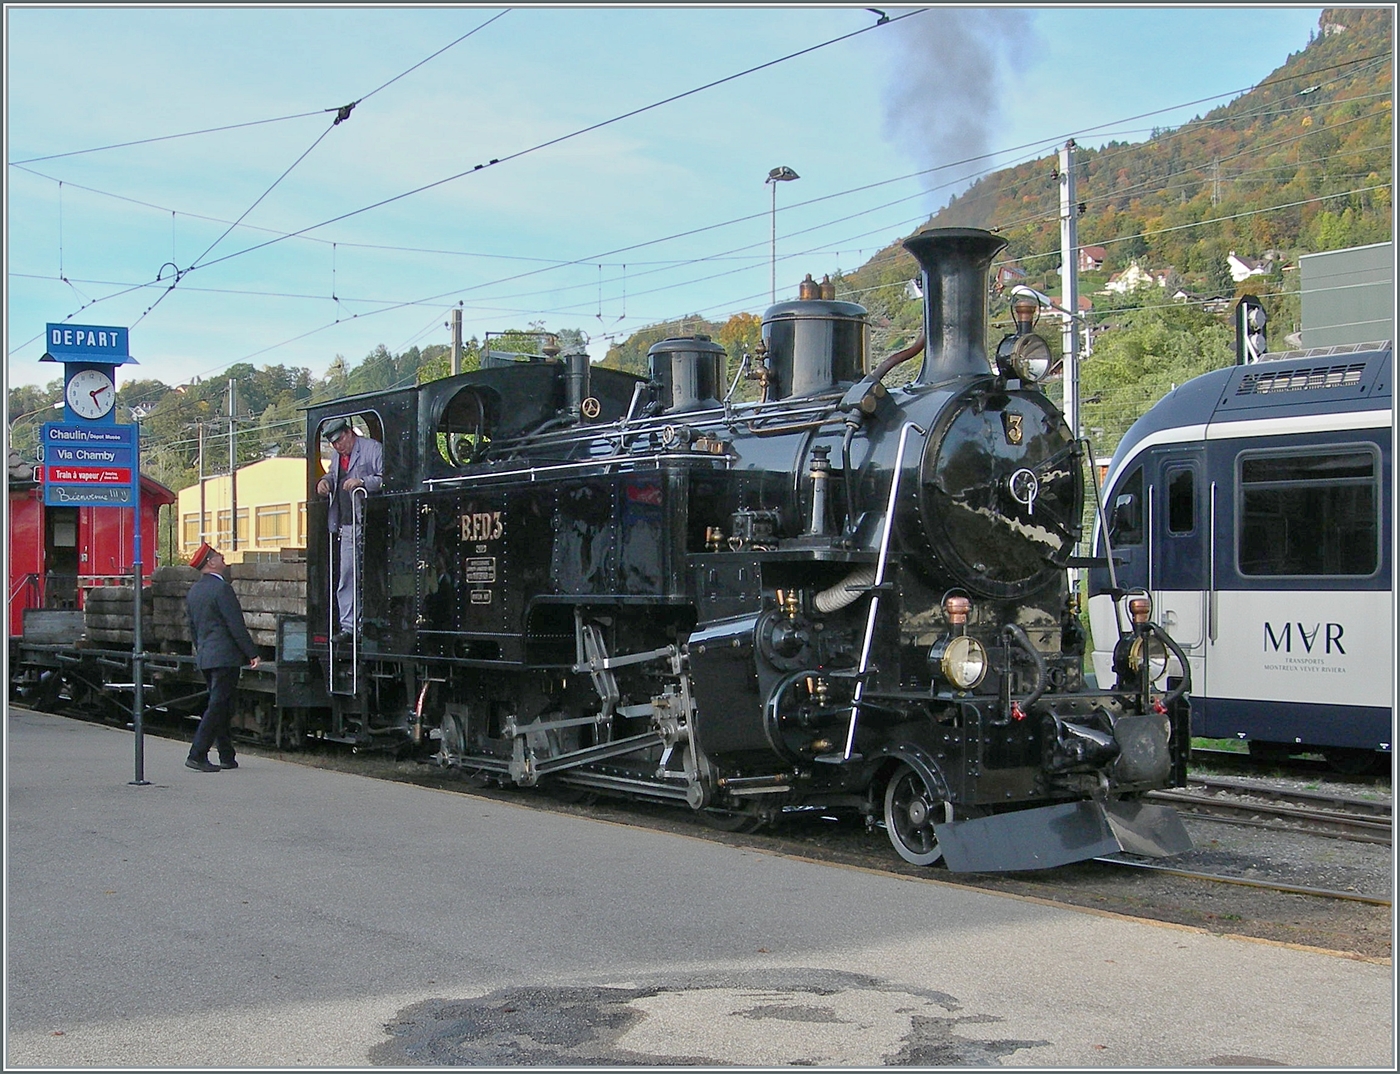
column 1254, row 505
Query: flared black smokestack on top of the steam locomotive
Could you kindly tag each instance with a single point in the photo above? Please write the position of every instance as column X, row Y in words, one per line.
column 954, row 263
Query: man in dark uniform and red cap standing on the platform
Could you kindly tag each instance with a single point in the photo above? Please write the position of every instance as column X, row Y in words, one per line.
column 222, row 648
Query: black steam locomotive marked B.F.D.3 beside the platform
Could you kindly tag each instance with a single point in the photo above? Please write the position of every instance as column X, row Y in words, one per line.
column 842, row 596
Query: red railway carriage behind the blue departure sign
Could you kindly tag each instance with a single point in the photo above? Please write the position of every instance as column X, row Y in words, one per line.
column 57, row 554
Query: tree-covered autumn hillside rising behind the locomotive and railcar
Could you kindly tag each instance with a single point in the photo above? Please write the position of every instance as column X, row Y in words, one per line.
column 1300, row 165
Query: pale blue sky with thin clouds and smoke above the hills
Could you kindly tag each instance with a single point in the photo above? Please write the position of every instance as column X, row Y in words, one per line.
column 542, row 237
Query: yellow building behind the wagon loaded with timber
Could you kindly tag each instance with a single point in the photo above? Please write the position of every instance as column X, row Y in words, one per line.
column 272, row 510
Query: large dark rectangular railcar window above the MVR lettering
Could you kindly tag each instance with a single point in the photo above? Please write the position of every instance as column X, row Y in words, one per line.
column 1310, row 515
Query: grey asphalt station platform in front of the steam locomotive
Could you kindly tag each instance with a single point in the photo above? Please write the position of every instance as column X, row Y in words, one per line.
column 282, row 916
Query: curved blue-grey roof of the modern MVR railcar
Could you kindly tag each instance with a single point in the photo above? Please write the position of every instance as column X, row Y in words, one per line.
column 1318, row 382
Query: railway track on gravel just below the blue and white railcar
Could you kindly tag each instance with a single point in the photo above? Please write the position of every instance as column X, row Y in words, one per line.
column 1283, row 810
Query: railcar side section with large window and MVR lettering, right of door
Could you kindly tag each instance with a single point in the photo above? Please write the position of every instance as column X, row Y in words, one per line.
column 1301, row 635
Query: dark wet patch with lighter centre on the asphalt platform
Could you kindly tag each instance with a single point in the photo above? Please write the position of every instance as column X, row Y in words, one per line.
column 782, row 1017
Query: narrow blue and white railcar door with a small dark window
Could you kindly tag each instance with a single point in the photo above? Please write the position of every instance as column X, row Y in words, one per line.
column 1179, row 551
